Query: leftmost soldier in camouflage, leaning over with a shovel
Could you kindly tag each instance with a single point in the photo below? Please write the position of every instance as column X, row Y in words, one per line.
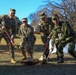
column 8, row 24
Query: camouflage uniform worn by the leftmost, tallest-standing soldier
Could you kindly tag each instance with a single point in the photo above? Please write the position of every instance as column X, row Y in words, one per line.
column 10, row 26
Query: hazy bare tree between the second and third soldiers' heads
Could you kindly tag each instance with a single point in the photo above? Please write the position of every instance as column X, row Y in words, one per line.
column 35, row 19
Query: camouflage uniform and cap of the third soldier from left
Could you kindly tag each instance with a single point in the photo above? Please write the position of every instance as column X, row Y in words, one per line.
column 45, row 29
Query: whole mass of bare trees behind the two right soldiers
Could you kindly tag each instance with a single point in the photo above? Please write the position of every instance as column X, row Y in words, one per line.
column 66, row 9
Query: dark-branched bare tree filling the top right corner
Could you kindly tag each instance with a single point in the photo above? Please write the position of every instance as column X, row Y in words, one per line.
column 66, row 8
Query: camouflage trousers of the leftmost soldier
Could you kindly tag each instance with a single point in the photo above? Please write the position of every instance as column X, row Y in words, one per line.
column 10, row 46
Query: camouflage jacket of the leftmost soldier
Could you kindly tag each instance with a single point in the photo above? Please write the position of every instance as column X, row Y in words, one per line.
column 9, row 24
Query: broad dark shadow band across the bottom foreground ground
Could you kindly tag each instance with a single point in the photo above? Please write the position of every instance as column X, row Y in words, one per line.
column 46, row 69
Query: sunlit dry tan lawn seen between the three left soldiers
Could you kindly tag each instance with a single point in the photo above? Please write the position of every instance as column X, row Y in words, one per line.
column 4, row 53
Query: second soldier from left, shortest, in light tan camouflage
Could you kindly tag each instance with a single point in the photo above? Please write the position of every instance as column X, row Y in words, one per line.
column 28, row 39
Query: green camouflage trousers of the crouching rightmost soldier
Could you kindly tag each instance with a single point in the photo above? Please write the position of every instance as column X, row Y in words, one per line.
column 71, row 47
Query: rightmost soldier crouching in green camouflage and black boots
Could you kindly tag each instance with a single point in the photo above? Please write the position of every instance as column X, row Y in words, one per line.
column 62, row 34
